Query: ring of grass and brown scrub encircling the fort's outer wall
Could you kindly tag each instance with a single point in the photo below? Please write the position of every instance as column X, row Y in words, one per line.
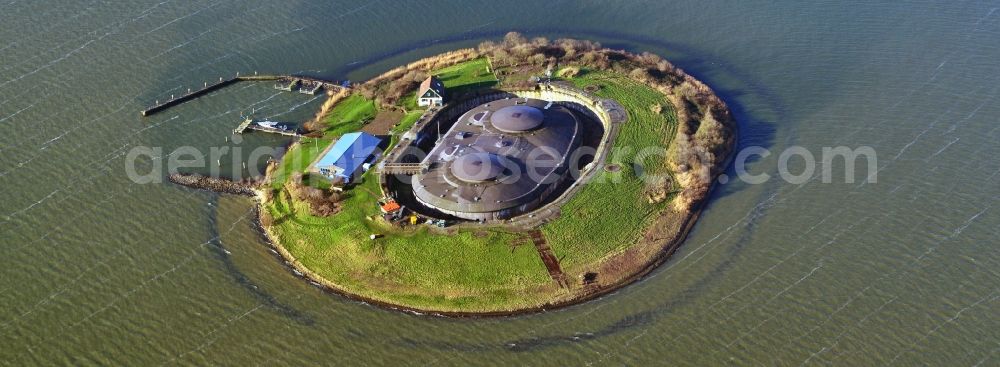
column 610, row 232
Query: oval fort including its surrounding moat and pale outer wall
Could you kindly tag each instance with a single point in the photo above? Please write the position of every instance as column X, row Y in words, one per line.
column 502, row 154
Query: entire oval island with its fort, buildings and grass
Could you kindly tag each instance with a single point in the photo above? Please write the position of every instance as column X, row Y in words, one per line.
column 517, row 176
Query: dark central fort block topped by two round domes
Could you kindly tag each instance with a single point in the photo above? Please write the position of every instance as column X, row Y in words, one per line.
column 499, row 159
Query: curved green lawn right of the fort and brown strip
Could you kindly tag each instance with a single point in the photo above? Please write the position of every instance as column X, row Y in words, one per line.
column 609, row 214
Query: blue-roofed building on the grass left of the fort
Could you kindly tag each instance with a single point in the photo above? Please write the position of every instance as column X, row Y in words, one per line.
column 349, row 157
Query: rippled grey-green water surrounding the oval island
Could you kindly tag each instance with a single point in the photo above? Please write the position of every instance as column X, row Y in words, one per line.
column 99, row 270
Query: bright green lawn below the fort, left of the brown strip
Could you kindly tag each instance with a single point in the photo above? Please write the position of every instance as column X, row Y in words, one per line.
column 428, row 269
